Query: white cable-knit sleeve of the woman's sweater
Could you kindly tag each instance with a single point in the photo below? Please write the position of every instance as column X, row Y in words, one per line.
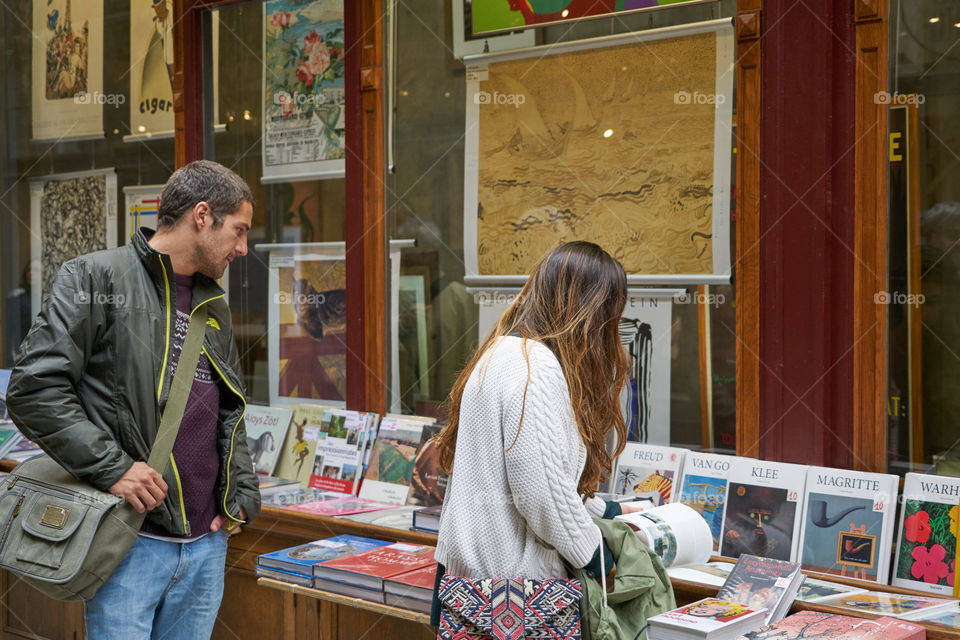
column 541, row 470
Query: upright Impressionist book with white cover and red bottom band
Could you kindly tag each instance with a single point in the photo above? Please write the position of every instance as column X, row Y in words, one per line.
column 339, row 452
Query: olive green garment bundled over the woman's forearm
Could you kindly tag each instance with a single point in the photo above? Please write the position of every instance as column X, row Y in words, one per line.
column 641, row 588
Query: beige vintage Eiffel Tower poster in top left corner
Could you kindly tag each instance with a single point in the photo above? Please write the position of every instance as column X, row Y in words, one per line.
column 67, row 74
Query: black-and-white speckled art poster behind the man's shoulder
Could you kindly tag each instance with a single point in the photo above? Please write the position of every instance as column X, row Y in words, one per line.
column 70, row 214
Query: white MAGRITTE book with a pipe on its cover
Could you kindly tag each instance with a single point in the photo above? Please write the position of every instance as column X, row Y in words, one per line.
column 847, row 524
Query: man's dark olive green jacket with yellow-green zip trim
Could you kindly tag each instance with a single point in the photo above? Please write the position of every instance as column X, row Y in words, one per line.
column 92, row 375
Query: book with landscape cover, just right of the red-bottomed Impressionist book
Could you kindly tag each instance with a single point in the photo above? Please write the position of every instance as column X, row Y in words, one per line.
column 390, row 471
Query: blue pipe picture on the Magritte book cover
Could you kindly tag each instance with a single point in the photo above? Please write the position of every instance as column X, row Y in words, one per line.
column 842, row 535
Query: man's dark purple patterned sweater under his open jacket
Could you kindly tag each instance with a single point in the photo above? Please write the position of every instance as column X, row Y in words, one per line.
column 195, row 450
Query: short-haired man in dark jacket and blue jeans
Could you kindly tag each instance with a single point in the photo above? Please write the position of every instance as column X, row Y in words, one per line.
column 91, row 381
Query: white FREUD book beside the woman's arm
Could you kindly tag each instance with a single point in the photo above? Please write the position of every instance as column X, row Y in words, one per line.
column 648, row 471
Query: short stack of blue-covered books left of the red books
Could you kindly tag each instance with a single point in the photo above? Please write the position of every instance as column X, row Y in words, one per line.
column 296, row 564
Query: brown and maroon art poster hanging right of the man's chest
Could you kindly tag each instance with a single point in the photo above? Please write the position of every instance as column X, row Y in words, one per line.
column 307, row 326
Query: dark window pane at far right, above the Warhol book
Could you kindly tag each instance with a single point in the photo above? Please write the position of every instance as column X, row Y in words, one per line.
column 924, row 227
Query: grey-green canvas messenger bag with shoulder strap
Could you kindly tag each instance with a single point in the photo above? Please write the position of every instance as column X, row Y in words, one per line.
column 64, row 537
